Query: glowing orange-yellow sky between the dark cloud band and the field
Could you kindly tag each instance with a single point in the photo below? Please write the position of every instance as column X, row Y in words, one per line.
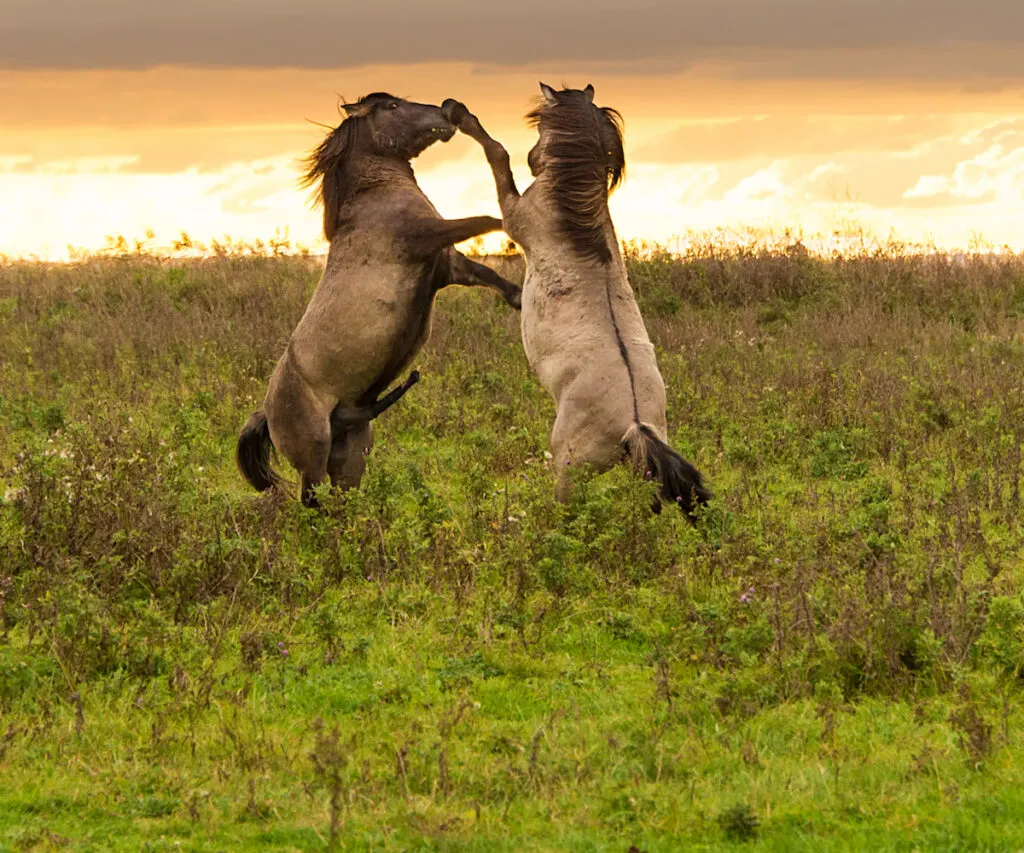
column 89, row 153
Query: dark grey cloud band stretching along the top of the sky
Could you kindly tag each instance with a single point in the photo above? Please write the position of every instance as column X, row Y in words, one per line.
column 604, row 34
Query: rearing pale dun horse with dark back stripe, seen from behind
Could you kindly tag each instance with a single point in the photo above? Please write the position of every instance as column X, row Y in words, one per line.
column 582, row 329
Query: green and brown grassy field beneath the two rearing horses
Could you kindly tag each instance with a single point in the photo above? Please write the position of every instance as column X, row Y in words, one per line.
column 446, row 659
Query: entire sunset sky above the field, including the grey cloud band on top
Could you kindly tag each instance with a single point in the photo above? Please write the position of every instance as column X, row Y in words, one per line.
column 817, row 115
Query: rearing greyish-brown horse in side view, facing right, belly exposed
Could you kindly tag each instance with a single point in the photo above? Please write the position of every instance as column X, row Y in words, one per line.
column 391, row 253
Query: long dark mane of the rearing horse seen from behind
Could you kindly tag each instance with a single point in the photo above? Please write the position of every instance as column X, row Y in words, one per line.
column 585, row 156
